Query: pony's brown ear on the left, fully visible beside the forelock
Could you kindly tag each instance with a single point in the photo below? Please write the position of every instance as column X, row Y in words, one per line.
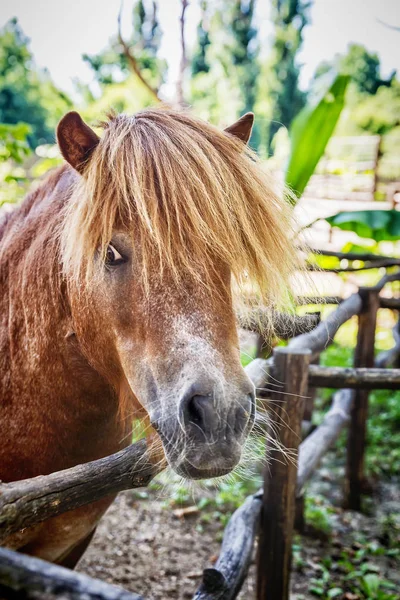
column 76, row 140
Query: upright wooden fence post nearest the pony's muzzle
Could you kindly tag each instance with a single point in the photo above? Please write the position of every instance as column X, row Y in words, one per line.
column 277, row 517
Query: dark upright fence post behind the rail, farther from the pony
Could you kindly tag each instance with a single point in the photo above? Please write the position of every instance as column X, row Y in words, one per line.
column 363, row 357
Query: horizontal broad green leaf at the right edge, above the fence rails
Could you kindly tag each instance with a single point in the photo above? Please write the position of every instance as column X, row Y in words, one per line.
column 379, row 225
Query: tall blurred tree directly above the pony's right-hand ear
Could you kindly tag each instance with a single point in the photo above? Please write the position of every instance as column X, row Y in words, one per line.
column 224, row 65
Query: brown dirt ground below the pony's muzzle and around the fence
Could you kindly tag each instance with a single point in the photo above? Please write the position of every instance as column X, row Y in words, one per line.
column 142, row 545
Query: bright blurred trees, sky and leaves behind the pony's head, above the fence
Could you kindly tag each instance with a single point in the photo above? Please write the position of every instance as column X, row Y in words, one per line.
column 320, row 76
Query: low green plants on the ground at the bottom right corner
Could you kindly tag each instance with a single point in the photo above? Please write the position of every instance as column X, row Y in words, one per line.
column 353, row 567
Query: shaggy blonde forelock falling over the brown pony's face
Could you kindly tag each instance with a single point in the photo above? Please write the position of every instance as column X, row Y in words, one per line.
column 190, row 194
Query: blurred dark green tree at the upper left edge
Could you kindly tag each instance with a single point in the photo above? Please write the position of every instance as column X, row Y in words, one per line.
column 26, row 93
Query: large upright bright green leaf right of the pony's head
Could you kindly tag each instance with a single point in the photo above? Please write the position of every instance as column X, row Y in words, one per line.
column 310, row 133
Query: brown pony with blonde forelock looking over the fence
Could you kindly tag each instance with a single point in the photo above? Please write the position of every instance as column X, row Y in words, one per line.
column 118, row 280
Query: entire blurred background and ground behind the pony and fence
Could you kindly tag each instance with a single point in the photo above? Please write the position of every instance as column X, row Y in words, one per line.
column 322, row 79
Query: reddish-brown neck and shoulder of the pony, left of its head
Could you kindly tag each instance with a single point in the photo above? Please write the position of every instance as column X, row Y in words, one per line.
column 60, row 408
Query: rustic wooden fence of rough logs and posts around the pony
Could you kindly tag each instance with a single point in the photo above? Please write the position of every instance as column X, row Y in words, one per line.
column 274, row 511
